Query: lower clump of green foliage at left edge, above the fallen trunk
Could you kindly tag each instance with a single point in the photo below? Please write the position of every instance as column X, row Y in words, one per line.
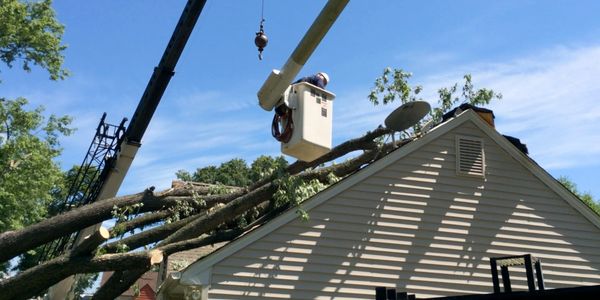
column 28, row 174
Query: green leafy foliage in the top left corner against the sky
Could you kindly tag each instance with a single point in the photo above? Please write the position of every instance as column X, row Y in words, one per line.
column 30, row 34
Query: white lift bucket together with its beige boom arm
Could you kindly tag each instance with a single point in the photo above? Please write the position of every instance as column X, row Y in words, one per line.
column 309, row 108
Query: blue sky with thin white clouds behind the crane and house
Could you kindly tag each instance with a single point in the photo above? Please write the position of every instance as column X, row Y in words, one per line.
column 543, row 56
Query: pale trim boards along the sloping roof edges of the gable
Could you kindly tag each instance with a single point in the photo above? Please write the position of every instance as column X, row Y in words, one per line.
column 198, row 273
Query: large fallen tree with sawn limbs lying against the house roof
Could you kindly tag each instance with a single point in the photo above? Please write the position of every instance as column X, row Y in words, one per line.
column 209, row 218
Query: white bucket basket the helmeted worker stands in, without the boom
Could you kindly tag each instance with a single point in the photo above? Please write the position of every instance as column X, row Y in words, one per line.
column 312, row 114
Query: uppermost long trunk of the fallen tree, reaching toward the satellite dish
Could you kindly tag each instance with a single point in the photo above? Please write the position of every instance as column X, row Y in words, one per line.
column 15, row 242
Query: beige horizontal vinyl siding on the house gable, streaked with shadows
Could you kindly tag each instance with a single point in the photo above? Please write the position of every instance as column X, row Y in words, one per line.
column 419, row 227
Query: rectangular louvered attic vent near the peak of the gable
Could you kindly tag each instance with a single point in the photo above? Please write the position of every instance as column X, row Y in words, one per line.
column 470, row 159
